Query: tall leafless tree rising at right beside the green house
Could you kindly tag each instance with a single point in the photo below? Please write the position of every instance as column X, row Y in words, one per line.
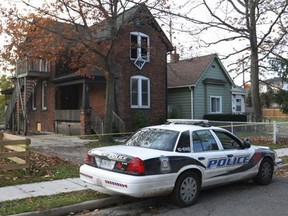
column 259, row 26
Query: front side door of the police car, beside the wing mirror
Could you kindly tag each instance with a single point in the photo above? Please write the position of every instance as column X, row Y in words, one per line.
column 236, row 156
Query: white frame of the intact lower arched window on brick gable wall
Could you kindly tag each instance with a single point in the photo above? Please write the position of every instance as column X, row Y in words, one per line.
column 140, row 92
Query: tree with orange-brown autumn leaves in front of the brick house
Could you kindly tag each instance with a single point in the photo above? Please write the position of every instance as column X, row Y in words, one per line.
column 84, row 30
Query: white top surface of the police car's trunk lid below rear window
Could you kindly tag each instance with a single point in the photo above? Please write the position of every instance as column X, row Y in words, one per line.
column 120, row 151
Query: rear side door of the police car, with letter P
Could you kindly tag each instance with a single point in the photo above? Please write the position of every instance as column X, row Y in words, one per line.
column 206, row 150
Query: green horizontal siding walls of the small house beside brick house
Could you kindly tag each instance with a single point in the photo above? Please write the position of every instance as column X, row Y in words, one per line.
column 181, row 97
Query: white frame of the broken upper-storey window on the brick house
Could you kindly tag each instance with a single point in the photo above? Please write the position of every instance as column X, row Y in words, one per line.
column 140, row 35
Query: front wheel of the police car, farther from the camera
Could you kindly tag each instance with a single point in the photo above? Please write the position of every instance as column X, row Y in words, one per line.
column 265, row 172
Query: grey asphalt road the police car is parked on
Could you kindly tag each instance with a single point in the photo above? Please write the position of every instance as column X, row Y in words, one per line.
column 238, row 199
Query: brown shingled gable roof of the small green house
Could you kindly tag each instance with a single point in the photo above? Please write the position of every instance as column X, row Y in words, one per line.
column 188, row 72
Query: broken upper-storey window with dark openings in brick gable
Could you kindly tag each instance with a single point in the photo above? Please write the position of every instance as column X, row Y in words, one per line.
column 139, row 46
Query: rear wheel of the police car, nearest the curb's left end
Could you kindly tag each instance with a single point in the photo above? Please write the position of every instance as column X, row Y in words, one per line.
column 186, row 189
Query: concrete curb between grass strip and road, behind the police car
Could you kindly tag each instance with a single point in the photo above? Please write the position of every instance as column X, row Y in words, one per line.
column 88, row 205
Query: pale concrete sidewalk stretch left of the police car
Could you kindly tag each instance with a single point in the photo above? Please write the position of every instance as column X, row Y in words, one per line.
column 46, row 188
